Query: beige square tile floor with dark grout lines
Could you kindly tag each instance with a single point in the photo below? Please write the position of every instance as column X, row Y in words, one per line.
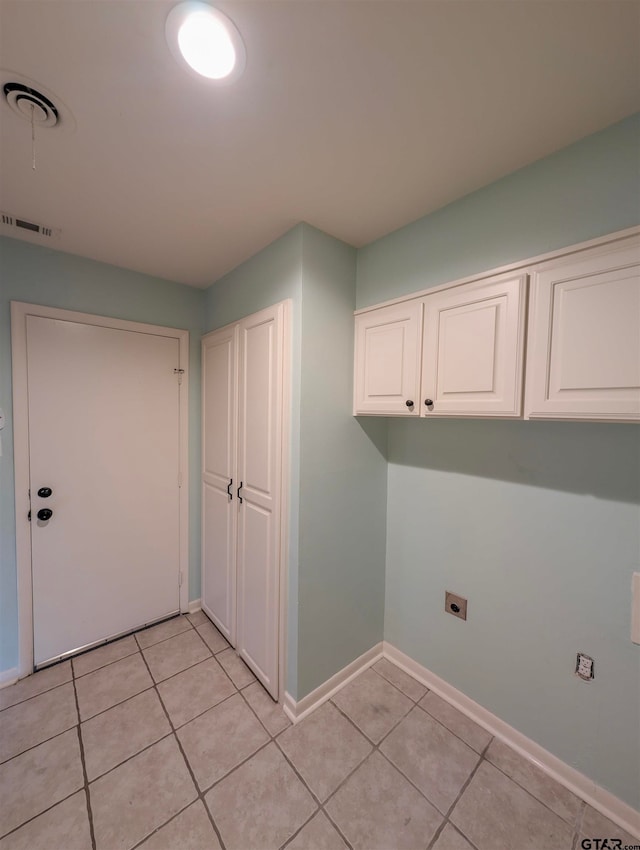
column 165, row 741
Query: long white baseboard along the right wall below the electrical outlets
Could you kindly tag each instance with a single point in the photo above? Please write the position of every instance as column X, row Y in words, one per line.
column 604, row 801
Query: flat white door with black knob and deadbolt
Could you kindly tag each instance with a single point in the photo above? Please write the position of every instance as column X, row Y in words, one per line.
column 103, row 410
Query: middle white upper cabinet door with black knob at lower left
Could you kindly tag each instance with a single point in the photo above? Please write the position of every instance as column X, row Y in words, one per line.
column 472, row 351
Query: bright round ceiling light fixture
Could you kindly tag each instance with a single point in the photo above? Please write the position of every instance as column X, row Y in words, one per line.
column 206, row 41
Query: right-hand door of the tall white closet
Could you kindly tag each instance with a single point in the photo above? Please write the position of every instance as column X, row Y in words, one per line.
column 259, row 470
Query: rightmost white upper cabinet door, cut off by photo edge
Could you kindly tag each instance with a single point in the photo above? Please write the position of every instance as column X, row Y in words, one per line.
column 584, row 335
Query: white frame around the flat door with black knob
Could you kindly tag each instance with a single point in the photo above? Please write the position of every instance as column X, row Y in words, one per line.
column 19, row 313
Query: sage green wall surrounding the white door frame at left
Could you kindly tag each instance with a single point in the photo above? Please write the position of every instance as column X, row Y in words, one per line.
column 42, row 276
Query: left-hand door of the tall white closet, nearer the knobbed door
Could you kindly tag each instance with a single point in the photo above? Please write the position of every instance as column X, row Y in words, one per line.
column 219, row 423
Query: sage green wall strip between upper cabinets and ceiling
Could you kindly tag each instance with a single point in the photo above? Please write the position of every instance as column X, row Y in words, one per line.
column 582, row 191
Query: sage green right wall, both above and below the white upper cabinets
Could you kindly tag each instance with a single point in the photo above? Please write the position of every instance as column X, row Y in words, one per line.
column 538, row 524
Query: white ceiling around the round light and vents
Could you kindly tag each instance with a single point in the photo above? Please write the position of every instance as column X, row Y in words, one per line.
column 353, row 115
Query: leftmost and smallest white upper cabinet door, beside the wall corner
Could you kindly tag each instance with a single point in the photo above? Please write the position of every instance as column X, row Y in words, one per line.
column 387, row 360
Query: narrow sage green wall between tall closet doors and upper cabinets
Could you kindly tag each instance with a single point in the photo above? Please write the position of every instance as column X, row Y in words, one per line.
column 343, row 475
